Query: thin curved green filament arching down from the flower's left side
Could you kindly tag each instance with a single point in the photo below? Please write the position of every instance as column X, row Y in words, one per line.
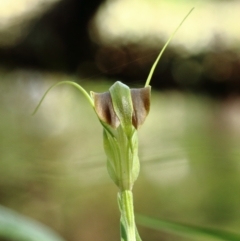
column 80, row 88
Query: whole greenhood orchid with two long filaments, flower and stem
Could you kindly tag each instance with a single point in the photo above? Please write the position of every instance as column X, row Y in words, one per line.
column 121, row 111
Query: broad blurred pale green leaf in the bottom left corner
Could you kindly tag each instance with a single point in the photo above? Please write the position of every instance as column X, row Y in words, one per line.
column 18, row 227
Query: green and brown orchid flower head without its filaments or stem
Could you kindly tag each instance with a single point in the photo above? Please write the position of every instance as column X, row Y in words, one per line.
column 121, row 111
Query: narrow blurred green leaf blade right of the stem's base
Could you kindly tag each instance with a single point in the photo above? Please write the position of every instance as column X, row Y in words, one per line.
column 186, row 230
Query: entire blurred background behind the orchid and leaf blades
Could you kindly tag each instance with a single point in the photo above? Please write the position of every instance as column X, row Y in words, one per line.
column 52, row 165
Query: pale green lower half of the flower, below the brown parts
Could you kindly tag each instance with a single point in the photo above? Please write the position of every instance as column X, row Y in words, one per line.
column 122, row 156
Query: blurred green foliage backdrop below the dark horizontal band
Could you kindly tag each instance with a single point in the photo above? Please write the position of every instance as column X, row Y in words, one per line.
column 52, row 165
